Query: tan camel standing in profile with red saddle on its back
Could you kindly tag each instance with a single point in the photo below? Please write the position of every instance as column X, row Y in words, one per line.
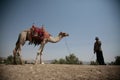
column 26, row 36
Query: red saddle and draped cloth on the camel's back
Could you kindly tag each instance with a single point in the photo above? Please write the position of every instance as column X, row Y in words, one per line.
column 38, row 34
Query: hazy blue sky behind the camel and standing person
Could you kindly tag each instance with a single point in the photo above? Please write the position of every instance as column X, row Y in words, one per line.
column 82, row 19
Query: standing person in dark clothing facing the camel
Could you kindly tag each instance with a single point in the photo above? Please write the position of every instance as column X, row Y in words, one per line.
column 98, row 51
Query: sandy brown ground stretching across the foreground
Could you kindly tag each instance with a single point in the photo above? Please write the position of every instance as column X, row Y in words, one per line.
column 58, row 72
